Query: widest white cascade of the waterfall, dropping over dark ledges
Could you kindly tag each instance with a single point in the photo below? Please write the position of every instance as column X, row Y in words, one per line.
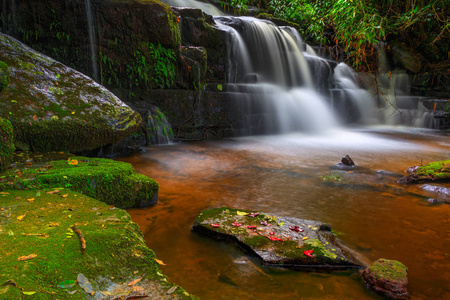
column 269, row 76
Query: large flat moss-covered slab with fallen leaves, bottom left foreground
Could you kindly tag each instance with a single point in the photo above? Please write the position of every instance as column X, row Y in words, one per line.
column 44, row 252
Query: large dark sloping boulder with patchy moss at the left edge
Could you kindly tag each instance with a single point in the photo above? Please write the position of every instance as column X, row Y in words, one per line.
column 53, row 107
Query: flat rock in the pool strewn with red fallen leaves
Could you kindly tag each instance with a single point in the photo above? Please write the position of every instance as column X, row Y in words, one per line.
column 279, row 241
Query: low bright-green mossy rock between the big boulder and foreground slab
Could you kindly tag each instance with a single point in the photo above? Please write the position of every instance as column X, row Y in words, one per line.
column 112, row 182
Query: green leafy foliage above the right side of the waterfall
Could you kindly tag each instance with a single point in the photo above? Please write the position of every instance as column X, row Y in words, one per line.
column 356, row 27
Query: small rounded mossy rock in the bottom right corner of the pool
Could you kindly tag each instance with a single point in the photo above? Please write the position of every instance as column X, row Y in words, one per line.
column 387, row 277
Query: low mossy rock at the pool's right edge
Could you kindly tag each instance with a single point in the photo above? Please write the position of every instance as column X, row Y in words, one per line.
column 435, row 171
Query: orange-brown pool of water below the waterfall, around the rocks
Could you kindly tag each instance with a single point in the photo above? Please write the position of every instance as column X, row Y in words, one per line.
column 282, row 175
